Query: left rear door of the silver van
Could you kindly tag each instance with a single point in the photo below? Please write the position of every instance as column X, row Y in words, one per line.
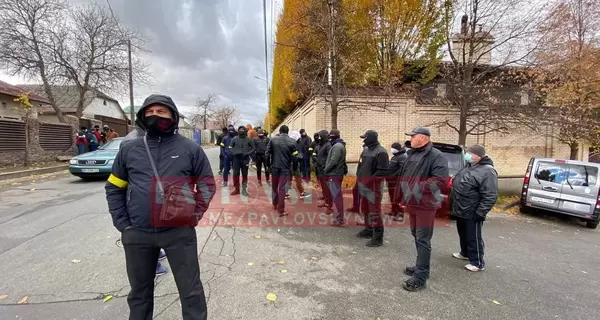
column 546, row 184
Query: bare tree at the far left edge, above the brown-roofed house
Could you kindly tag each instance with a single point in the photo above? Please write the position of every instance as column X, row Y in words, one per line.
column 27, row 29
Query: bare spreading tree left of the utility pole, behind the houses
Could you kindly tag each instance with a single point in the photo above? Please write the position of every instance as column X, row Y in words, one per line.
column 93, row 53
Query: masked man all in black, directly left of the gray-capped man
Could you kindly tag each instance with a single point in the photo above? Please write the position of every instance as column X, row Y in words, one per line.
column 371, row 172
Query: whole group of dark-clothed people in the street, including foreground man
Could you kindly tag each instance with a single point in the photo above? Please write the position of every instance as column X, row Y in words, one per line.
column 155, row 152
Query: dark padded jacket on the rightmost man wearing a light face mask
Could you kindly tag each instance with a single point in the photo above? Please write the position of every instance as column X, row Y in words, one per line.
column 474, row 190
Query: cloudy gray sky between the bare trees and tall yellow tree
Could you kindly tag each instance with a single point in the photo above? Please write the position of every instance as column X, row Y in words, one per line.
column 199, row 47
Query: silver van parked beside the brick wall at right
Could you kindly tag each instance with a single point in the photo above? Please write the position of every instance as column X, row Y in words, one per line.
column 563, row 186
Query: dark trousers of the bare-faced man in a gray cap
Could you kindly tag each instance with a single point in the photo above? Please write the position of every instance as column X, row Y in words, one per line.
column 421, row 228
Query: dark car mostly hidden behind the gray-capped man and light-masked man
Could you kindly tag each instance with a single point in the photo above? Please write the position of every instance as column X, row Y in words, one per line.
column 455, row 155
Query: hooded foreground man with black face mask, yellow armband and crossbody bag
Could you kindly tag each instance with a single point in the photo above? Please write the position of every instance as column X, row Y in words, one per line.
column 150, row 174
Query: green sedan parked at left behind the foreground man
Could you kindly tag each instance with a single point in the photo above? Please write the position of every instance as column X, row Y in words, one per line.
column 96, row 164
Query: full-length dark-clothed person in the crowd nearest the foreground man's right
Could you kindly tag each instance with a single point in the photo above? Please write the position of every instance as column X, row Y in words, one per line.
column 242, row 147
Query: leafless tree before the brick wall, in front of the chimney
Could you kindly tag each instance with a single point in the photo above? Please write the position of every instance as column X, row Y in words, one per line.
column 484, row 92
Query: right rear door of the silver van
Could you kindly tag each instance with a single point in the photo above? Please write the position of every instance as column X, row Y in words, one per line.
column 580, row 190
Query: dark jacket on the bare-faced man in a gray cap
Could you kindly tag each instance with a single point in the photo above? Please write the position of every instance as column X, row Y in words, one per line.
column 423, row 178
